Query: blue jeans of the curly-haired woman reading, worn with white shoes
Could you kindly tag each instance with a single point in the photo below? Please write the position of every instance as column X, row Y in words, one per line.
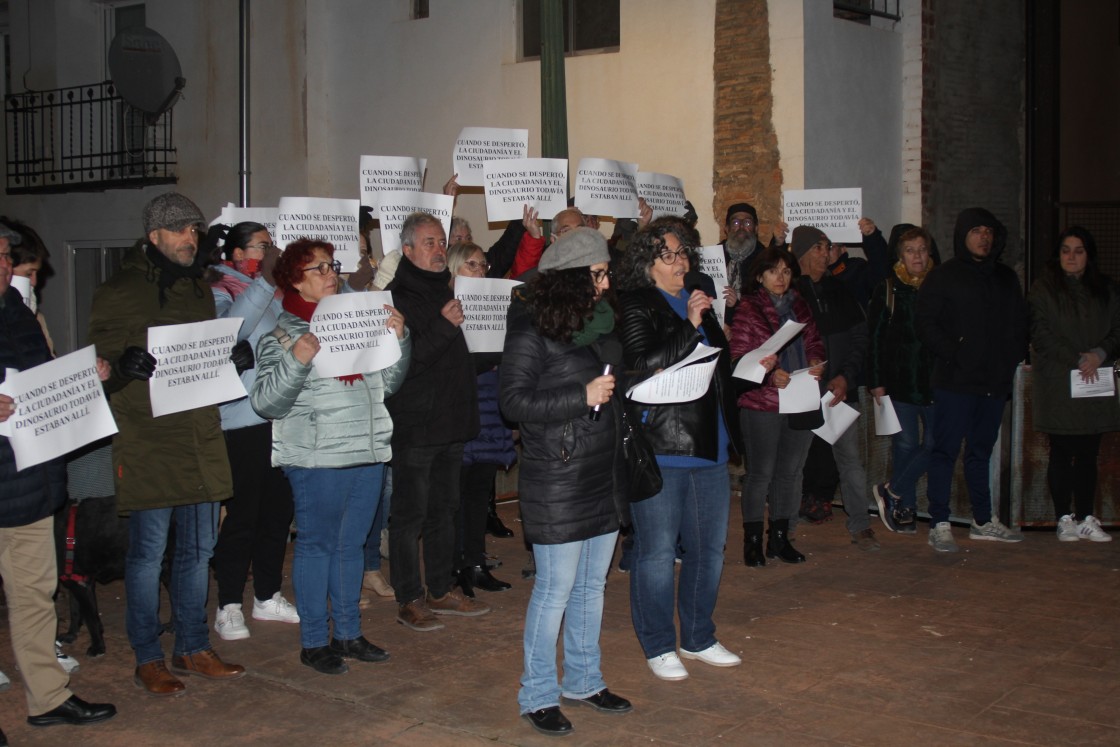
column 694, row 503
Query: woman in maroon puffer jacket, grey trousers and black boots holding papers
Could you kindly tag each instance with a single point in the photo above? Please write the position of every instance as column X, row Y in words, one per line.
column 776, row 452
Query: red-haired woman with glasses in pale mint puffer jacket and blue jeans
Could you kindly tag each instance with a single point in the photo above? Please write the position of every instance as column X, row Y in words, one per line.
column 332, row 437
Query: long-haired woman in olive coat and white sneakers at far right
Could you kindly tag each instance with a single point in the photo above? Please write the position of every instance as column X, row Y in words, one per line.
column 1076, row 333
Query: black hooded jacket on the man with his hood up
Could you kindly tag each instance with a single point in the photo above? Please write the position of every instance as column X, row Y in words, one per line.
column 973, row 316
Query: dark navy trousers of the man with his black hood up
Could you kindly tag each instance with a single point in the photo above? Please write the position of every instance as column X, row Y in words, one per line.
column 974, row 419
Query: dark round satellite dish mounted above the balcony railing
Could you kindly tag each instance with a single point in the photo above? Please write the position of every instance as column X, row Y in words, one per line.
column 146, row 71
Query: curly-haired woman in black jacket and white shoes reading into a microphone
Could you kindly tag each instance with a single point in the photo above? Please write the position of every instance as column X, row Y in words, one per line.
column 665, row 316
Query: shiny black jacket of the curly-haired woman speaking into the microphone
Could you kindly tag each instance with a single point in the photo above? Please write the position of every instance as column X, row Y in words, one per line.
column 655, row 338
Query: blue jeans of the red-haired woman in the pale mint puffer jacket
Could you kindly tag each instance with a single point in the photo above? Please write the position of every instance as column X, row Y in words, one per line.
column 334, row 511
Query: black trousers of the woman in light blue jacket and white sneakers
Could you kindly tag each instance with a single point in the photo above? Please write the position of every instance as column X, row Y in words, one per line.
column 258, row 519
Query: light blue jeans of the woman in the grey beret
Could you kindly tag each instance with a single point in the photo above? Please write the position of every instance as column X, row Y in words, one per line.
column 571, row 580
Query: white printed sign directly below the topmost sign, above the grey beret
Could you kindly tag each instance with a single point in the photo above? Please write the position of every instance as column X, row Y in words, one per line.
column 509, row 185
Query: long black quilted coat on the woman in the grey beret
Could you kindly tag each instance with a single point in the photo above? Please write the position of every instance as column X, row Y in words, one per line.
column 571, row 483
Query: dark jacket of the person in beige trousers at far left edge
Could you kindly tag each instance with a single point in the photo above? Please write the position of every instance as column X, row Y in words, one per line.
column 35, row 493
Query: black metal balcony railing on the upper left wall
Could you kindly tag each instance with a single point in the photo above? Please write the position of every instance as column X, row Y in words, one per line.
column 85, row 139
